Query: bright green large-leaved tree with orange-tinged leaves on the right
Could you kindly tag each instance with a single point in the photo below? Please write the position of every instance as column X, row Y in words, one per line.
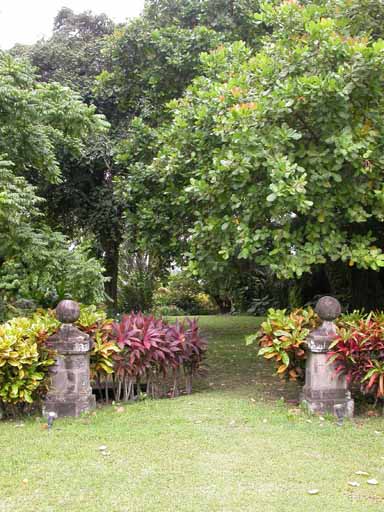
column 276, row 156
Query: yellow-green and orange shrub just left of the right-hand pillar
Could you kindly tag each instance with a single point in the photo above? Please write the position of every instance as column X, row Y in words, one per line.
column 282, row 338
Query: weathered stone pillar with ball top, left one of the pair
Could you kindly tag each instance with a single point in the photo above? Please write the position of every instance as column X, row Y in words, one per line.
column 70, row 392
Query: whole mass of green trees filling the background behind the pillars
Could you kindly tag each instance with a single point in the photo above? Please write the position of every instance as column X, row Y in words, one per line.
column 244, row 143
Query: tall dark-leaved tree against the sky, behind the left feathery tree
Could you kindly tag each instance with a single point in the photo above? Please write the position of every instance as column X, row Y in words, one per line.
column 73, row 57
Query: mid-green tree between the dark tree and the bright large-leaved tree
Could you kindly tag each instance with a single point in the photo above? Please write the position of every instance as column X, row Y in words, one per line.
column 154, row 58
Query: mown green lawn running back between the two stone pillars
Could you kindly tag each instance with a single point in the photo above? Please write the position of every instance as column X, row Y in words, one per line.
column 234, row 445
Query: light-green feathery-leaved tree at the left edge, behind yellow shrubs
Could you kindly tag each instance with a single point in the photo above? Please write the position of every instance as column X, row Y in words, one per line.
column 38, row 123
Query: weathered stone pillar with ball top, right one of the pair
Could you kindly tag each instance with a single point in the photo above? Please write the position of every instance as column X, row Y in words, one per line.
column 324, row 390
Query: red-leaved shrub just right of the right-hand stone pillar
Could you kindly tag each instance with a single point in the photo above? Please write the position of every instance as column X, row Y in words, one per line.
column 358, row 352
